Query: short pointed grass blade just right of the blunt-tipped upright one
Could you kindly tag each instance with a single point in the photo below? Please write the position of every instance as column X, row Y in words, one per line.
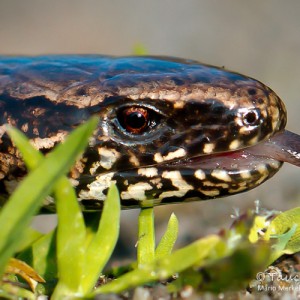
column 168, row 240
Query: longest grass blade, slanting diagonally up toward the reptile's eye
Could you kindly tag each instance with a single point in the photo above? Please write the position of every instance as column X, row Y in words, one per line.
column 24, row 203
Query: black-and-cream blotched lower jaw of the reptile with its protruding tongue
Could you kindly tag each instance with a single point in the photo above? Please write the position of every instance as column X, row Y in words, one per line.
column 200, row 177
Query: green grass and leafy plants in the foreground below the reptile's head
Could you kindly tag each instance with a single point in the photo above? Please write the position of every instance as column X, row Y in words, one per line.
column 73, row 256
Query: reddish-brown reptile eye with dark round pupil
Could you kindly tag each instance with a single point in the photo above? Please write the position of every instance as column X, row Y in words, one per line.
column 137, row 120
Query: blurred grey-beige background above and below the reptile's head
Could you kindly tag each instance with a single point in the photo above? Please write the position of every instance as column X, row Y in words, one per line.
column 257, row 38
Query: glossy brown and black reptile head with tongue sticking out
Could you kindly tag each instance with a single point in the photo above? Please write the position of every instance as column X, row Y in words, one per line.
column 170, row 130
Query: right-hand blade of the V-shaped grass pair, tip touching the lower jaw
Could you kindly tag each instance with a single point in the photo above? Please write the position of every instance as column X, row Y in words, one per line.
column 103, row 243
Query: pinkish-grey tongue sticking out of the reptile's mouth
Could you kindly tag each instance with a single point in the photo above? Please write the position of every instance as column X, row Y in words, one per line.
column 283, row 146
